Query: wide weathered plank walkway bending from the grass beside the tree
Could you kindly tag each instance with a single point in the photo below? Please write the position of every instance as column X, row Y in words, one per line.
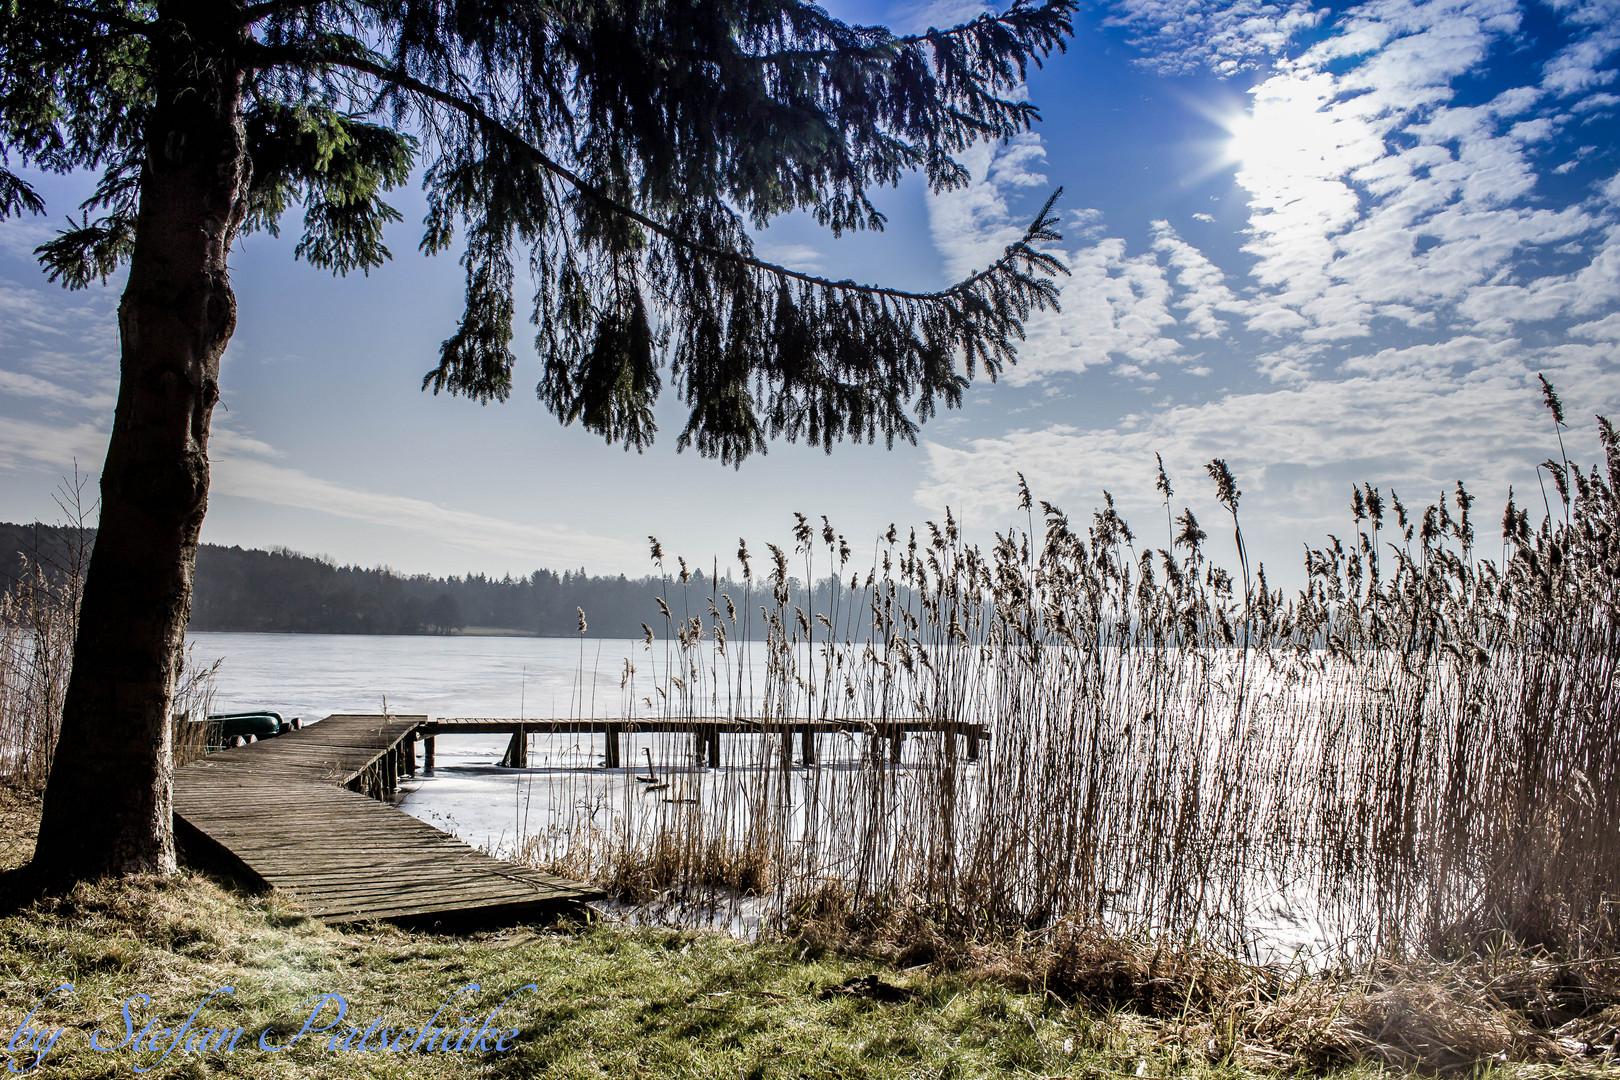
column 297, row 814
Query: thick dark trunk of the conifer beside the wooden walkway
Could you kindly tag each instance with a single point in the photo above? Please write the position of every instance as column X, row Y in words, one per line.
column 108, row 802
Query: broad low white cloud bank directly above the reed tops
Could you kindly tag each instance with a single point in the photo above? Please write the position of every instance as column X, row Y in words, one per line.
column 1417, row 422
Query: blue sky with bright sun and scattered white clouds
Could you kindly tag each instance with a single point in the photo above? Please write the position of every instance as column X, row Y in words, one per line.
column 1326, row 244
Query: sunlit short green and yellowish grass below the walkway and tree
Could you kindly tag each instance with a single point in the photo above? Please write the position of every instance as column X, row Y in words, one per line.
column 607, row 1003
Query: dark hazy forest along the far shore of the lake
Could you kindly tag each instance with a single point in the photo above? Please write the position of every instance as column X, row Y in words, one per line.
column 283, row 592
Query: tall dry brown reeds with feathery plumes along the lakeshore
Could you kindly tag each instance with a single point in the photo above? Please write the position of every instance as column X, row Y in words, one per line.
column 1422, row 747
